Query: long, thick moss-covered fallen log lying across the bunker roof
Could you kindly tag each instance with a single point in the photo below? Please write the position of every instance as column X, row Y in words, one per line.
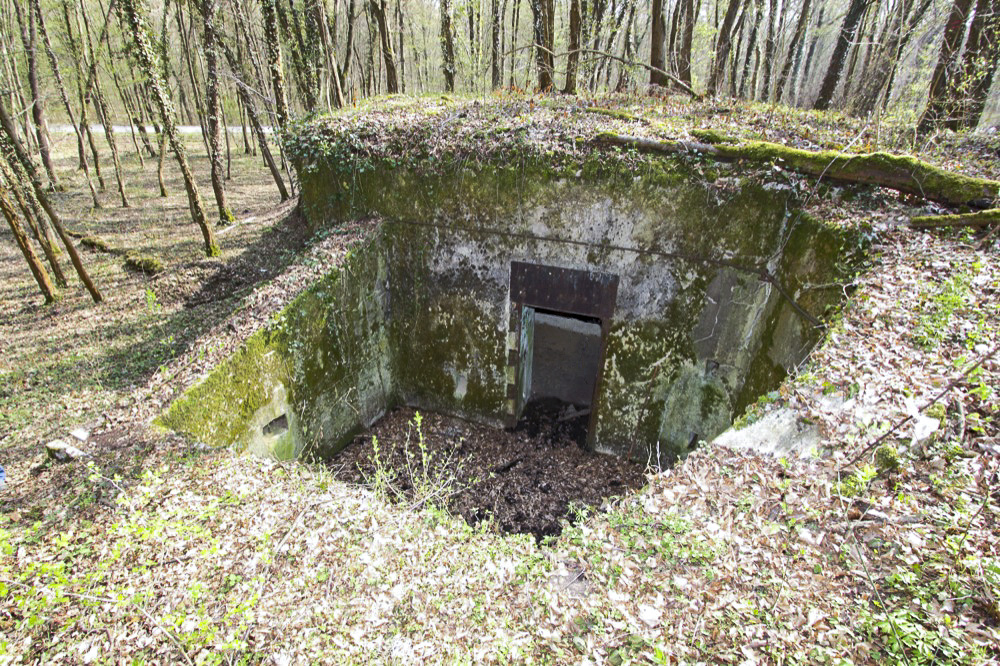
column 902, row 173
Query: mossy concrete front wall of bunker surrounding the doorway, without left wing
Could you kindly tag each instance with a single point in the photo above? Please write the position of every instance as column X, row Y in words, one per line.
column 696, row 334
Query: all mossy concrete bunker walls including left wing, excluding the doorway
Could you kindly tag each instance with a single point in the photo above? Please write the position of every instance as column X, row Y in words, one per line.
column 423, row 314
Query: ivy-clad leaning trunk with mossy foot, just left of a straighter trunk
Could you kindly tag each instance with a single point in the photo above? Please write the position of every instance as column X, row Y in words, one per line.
column 133, row 14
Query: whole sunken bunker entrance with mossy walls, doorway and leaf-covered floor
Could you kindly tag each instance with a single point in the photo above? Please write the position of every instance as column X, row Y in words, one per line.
column 535, row 331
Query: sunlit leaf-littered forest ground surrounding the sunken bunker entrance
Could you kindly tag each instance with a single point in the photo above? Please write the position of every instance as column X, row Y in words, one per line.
column 159, row 550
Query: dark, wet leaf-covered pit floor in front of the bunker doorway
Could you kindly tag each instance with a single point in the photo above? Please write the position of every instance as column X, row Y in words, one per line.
column 525, row 480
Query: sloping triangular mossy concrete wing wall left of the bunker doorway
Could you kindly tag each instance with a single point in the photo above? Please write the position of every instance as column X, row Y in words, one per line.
column 323, row 364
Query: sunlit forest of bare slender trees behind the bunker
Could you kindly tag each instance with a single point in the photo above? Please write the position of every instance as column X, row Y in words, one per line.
column 128, row 72
